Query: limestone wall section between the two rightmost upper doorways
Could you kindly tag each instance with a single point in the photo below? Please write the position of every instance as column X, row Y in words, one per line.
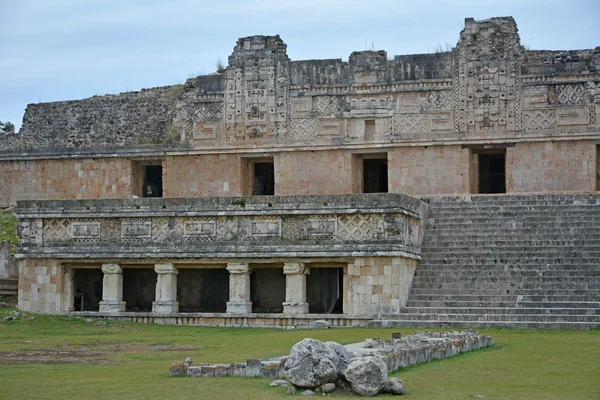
column 422, row 171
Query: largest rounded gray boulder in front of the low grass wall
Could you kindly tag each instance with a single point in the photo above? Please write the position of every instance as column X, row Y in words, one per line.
column 311, row 364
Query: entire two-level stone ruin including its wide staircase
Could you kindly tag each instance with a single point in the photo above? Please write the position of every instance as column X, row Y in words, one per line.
column 457, row 188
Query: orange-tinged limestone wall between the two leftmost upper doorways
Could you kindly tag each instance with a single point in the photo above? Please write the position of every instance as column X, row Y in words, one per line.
column 203, row 176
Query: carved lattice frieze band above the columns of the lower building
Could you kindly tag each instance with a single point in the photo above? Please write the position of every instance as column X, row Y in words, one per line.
column 342, row 227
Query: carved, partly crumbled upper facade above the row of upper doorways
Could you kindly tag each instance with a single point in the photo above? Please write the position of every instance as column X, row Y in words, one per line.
column 487, row 88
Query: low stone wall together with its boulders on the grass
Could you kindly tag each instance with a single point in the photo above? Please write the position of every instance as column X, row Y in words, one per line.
column 323, row 367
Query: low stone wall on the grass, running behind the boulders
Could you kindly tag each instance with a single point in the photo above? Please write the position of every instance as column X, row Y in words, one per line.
column 418, row 348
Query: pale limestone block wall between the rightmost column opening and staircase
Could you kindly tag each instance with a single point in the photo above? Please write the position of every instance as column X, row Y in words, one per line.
column 377, row 285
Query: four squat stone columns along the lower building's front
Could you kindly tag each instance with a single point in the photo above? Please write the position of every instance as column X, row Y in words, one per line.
column 239, row 289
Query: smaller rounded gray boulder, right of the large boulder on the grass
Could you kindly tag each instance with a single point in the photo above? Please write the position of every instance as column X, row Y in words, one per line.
column 366, row 375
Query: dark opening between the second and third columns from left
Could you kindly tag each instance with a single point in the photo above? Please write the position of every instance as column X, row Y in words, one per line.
column 203, row 289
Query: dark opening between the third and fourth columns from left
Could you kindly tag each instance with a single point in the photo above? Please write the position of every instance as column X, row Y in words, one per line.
column 267, row 290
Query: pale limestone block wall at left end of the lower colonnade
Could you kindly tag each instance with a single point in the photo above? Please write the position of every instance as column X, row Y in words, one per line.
column 44, row 286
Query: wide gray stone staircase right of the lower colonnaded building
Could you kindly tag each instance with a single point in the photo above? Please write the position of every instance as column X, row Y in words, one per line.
column 513, row 261
